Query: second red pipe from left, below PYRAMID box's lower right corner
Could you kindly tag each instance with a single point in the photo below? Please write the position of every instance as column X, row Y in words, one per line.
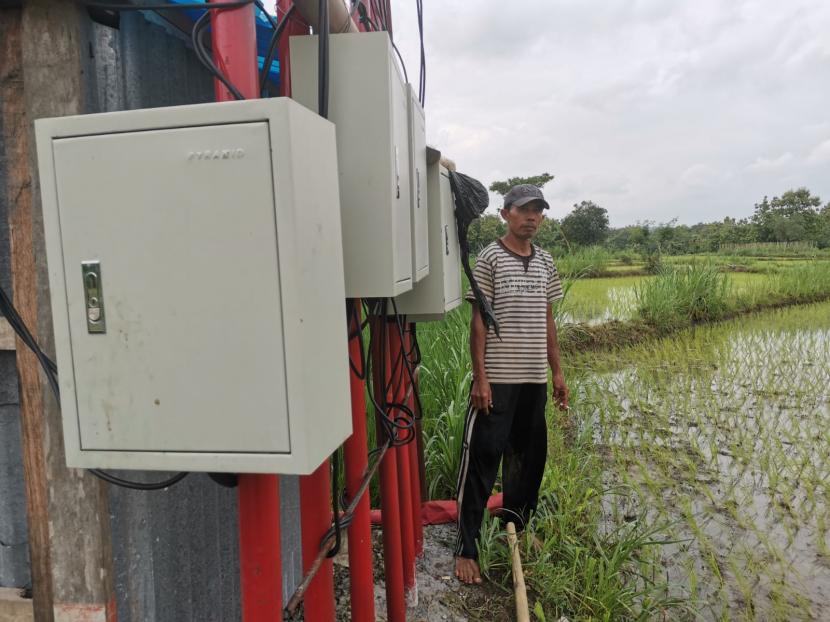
column 315, row 513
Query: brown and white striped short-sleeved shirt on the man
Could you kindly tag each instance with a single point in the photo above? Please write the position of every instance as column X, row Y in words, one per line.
column 519, row 289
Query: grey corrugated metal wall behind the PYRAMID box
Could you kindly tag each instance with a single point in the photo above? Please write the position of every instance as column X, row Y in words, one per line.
column 176, row 553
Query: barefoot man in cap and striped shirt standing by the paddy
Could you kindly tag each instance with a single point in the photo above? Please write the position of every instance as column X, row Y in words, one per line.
column 506, row 417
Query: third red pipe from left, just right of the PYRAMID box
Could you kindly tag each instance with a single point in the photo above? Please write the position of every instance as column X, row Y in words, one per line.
column 355, row 452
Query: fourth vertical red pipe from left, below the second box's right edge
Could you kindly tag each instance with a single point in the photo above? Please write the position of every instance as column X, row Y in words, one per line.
column 391, row 515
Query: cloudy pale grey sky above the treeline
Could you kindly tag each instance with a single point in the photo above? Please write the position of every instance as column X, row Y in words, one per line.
column 654, row 109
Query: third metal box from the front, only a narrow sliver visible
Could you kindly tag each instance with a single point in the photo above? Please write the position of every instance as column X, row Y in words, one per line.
column 418, row 186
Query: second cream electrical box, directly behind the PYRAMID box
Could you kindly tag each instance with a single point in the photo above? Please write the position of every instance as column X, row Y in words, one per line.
column 369, row 105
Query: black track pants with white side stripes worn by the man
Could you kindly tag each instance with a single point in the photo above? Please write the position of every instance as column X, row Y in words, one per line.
column 513, row 432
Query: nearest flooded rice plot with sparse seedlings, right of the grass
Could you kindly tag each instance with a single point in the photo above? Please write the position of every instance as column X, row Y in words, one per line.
column 723, row 434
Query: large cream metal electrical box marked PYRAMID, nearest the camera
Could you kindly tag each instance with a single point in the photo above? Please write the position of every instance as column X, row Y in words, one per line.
column 196, row 276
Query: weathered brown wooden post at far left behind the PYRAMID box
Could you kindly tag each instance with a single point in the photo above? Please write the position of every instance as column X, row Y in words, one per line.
column 42, row 69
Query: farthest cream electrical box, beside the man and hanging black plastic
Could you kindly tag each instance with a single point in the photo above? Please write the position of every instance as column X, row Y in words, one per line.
column 440, row 291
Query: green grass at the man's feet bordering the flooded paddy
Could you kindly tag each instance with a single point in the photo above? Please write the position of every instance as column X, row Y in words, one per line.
column 574, row 564
